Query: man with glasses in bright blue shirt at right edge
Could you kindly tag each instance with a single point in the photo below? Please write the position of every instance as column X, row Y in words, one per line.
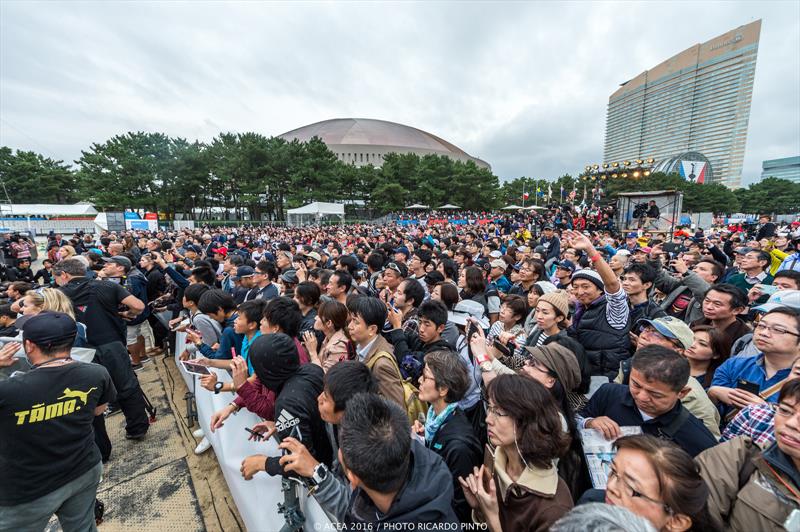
column 777, row 336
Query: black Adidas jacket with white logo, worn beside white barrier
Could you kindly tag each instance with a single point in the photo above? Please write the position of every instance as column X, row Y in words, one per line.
column 297, row 415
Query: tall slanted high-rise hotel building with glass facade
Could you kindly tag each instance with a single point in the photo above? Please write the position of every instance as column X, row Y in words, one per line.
column 696, row 101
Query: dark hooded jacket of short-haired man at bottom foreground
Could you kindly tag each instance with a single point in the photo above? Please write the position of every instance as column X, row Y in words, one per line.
column 426, row 497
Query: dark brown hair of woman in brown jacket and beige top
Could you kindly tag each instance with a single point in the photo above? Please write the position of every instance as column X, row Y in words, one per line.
column 539, row 435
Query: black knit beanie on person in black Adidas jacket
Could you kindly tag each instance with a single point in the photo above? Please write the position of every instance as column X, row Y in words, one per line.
column 275, row 359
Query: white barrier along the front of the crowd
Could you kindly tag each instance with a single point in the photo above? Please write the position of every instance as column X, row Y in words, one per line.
column 257, row 499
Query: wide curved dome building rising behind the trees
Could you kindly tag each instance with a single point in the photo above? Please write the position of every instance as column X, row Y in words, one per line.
column 363, row 141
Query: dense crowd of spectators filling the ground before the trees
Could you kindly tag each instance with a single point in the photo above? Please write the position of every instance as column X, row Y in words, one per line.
column 430, row 373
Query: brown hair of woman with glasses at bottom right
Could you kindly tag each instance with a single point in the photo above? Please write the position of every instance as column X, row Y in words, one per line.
column 680, row 484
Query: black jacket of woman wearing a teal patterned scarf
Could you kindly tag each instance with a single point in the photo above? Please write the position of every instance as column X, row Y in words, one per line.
column 461, row 450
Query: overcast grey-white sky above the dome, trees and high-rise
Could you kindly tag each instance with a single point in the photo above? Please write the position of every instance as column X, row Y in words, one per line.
column 523, row 86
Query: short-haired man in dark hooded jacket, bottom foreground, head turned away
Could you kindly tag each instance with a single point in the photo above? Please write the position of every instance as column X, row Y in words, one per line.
column 395, row 479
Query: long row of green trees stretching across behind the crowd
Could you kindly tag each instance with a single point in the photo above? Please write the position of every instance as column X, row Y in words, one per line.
column 259, row 177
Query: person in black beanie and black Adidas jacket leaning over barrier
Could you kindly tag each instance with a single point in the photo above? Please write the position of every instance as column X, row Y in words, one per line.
column 276, row 363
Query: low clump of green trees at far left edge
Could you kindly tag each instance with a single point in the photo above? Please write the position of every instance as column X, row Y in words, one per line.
column 32, row 178
